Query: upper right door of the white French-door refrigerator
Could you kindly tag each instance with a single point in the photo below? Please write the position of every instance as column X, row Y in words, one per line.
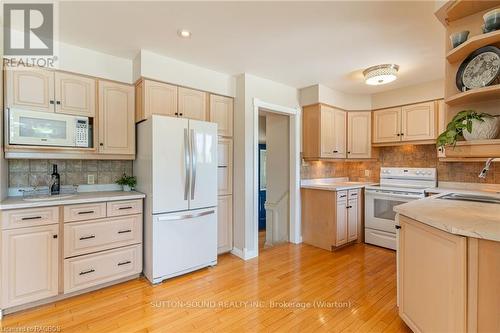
column 203, row 185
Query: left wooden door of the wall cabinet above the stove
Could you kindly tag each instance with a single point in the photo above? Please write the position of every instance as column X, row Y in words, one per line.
column 387, row 125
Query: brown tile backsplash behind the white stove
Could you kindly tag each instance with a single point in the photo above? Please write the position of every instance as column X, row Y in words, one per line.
column 422, row 156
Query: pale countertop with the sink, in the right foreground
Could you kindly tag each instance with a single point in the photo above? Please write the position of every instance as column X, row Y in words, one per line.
column 465, row 218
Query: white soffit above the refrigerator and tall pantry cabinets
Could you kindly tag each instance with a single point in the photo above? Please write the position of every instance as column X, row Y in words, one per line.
column 155, row 66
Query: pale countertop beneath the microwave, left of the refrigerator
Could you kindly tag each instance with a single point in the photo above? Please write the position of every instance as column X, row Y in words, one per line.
column 83, row 197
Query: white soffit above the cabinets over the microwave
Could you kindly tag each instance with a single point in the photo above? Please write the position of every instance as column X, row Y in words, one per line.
column 89, row 62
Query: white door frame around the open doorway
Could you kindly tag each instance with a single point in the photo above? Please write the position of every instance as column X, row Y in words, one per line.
column 294, row 114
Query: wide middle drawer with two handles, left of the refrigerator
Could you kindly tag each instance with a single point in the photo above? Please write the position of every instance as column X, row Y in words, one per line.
column 92, row 236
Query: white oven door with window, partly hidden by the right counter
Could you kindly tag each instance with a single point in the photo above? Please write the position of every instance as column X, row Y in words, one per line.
column 380, row 205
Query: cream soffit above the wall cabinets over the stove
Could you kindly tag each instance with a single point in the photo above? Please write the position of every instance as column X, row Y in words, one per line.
column 407, row 95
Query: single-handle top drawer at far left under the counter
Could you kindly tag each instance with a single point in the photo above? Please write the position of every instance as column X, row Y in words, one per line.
column 19, row 218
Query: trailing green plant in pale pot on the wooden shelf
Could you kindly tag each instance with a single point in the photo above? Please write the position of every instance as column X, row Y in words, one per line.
column 471, row 126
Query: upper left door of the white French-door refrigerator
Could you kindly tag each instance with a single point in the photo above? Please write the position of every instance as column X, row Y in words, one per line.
column 171, row 161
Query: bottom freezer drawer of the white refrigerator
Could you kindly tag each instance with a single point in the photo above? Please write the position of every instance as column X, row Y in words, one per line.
column 183, row 242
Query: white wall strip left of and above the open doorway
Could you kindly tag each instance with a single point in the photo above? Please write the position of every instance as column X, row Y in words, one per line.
column 249, row 87
